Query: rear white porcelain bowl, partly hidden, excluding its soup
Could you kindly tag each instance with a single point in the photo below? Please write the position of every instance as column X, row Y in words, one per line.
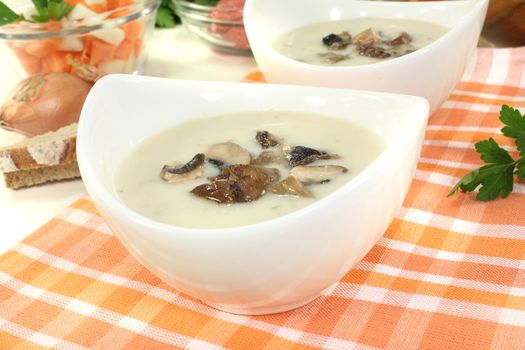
column 430, row 72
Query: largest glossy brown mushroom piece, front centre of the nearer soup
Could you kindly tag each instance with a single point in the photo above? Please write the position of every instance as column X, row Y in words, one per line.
column 239, row 183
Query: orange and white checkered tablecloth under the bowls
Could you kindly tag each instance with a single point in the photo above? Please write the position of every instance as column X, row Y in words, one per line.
column 449, row 273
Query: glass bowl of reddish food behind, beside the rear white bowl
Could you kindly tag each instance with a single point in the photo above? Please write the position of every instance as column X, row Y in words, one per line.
column 221, row 27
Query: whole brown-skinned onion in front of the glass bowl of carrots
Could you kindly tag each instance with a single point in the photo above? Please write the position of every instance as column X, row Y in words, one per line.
column 44, row 102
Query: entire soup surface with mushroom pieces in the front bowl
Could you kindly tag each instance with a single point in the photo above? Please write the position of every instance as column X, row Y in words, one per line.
column 242, row 168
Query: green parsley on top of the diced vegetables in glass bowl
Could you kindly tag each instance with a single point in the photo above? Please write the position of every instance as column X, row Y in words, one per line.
column 46, row 10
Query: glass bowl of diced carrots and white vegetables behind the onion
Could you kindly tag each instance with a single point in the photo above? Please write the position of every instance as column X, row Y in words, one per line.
column 85, row 43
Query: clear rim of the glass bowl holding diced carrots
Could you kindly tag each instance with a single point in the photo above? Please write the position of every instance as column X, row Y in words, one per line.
column 31, row 31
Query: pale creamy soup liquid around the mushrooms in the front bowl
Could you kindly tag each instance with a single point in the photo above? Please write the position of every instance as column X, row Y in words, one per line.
column 141, row 188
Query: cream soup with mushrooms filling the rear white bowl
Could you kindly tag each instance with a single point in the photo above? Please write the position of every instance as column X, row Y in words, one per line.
column 360, row 41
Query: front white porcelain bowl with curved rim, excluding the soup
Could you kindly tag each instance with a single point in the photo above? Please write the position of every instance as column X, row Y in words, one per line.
column 270, row 266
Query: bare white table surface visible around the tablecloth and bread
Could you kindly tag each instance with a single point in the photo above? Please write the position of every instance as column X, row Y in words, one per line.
column 174, row 53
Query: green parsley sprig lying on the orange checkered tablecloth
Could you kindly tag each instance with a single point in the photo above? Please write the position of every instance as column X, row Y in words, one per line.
column 497, row 177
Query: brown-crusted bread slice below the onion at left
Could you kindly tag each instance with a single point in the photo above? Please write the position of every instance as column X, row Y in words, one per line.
column 40, row 159
